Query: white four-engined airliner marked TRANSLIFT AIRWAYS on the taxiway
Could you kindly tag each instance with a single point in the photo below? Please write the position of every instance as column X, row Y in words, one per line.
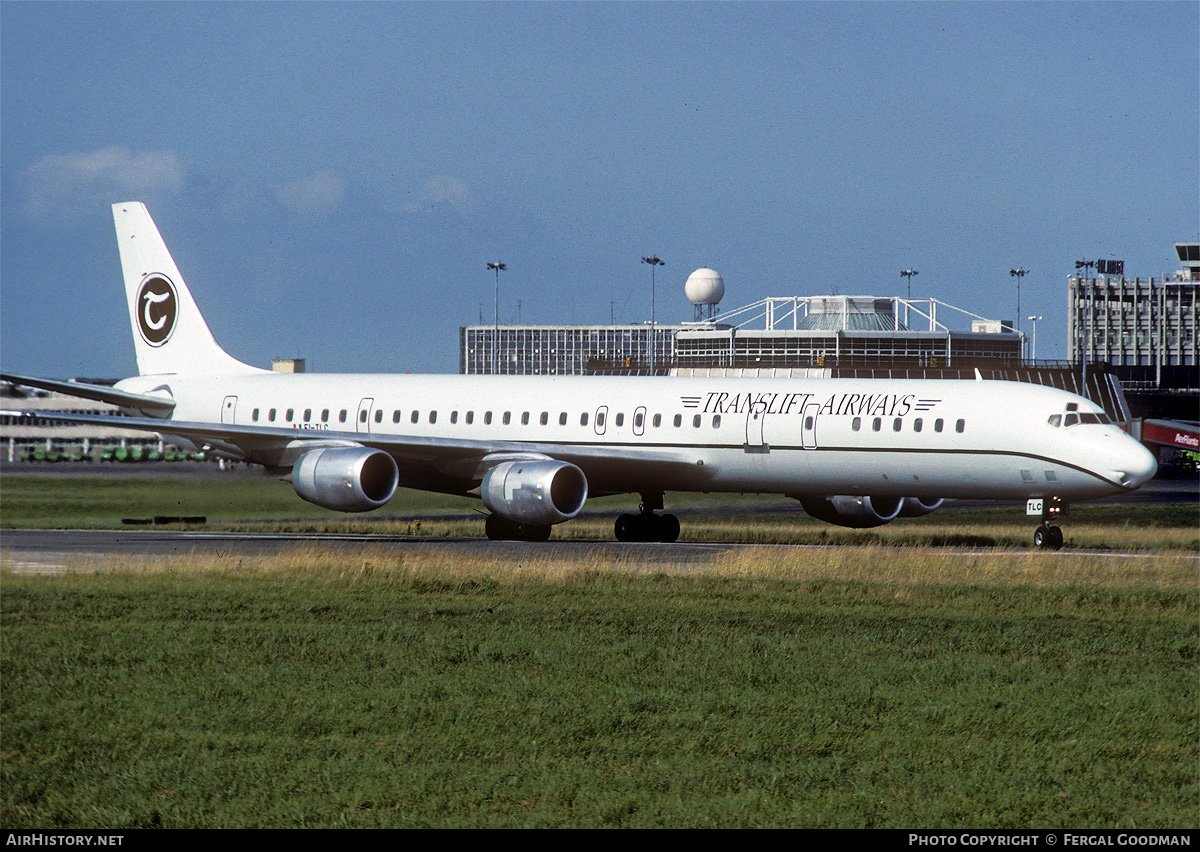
column 857, row 453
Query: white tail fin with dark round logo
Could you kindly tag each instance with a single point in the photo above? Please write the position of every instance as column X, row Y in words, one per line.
column 170, row 333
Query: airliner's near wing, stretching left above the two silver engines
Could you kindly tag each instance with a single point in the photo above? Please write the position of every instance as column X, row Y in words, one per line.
column 459, row 459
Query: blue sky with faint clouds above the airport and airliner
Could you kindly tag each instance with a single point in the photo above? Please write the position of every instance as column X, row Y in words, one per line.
column 333, row 178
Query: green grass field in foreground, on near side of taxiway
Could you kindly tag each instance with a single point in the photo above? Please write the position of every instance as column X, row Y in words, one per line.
column 833, row 688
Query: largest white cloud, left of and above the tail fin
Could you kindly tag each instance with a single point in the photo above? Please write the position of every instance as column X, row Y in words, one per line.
column 69, row 184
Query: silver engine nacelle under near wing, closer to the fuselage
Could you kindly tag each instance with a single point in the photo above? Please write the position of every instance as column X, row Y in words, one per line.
column 536, row 491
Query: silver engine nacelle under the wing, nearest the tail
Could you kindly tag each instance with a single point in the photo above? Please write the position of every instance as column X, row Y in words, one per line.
column 346, row 478
